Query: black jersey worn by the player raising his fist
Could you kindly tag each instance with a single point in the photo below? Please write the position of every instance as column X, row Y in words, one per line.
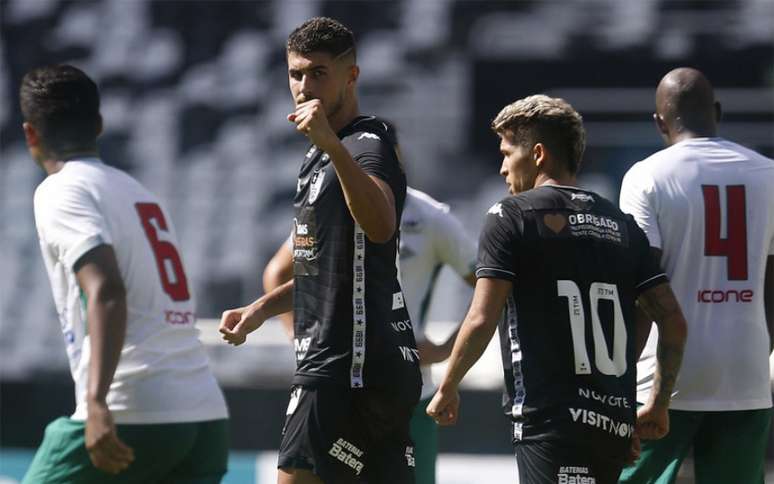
column 352, row 327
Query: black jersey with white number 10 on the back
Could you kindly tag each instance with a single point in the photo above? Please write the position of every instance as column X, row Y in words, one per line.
column 577, row 264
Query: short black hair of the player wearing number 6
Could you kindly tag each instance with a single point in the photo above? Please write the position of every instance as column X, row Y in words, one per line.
column 62, row 103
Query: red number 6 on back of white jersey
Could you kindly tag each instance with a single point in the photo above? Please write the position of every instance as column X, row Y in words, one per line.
column 167, row 258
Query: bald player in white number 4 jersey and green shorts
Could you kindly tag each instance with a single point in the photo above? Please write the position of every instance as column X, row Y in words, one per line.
column 707, row 207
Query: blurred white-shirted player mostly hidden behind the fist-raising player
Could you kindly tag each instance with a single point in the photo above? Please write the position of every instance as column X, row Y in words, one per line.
column 431, row 237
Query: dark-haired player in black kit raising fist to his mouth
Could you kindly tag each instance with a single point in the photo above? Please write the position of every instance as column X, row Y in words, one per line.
column 357, row 378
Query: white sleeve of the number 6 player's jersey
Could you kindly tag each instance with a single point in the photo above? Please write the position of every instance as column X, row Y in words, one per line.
column 69, row 222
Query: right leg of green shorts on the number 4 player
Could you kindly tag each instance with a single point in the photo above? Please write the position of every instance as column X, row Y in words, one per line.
column 731, row 447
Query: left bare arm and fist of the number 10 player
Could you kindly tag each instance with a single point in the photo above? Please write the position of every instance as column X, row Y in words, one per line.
column 475, row 333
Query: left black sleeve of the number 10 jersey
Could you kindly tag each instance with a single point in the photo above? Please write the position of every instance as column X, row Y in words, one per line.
column 498, row 244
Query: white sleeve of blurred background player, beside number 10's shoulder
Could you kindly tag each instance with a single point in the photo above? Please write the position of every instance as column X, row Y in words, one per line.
column 453, row 245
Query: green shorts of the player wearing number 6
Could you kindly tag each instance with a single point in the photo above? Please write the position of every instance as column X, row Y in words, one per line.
column 179, row 453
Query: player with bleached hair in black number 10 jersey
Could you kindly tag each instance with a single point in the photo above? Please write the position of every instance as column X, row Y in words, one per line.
column 568, row 267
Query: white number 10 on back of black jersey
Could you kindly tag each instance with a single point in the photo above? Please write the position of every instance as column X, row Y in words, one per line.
column 607, row 365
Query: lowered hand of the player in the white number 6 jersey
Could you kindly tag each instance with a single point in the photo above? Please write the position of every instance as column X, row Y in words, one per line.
column 106, row 451
